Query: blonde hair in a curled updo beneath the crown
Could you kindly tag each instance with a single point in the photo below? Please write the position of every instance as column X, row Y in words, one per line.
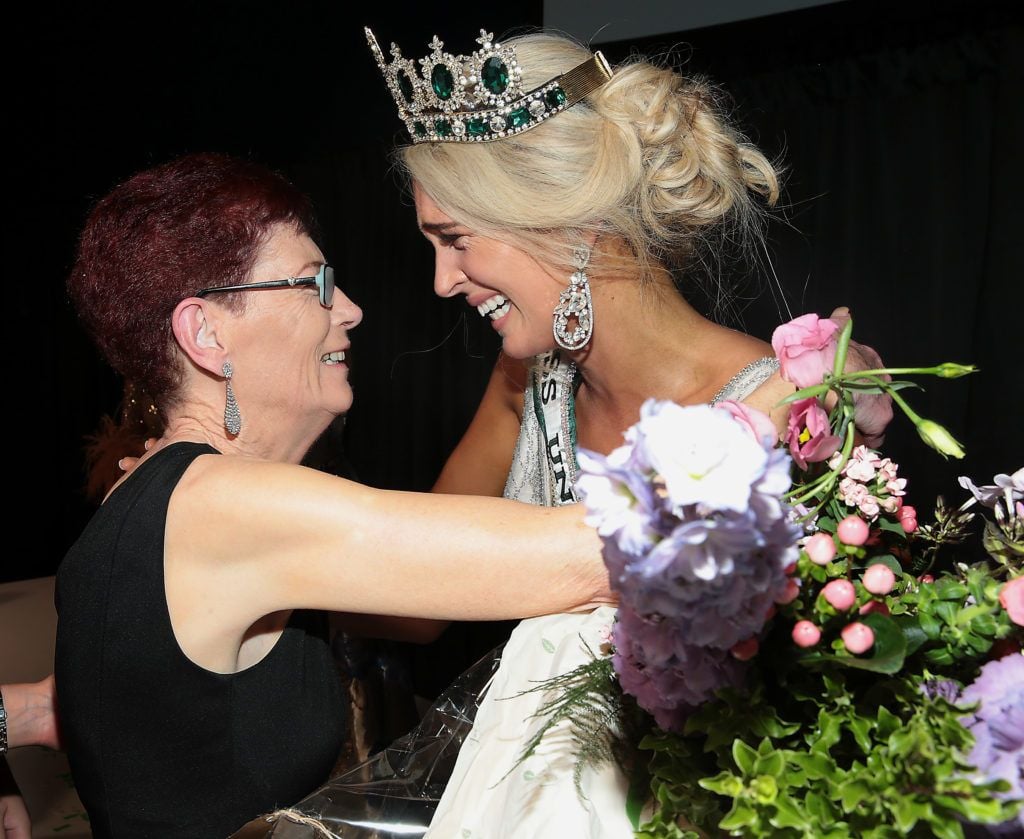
column 650, row 161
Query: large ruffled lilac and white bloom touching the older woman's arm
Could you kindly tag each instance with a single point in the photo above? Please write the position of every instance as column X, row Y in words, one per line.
column 697, row 539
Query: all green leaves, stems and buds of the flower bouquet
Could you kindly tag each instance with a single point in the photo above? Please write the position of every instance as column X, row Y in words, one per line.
column 823, row 743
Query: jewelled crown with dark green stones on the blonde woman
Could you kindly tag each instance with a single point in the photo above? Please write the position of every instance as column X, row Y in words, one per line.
column 479, row 98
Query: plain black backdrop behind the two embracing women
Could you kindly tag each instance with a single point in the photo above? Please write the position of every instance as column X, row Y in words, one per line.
column 901, row 129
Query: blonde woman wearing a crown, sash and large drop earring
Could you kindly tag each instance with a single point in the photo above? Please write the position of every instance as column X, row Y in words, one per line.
column 570, row 203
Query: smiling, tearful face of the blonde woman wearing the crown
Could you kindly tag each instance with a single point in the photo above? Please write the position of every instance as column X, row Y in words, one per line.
column 517, row 292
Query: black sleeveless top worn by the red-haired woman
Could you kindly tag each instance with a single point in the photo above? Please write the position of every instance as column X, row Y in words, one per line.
column 160, row 747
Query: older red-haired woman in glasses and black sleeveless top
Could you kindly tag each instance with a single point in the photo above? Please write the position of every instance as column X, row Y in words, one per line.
column 195, row 686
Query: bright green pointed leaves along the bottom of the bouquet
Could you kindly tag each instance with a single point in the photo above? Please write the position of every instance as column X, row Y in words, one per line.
column 847, row 766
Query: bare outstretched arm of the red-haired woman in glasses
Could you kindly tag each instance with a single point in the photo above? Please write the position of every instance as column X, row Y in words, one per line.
column 268, row 537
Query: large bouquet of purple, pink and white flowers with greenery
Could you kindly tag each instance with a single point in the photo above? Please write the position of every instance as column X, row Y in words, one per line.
column 792, row 654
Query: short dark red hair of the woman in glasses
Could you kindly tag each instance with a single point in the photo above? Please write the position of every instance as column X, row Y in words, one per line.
column 162, row 236
